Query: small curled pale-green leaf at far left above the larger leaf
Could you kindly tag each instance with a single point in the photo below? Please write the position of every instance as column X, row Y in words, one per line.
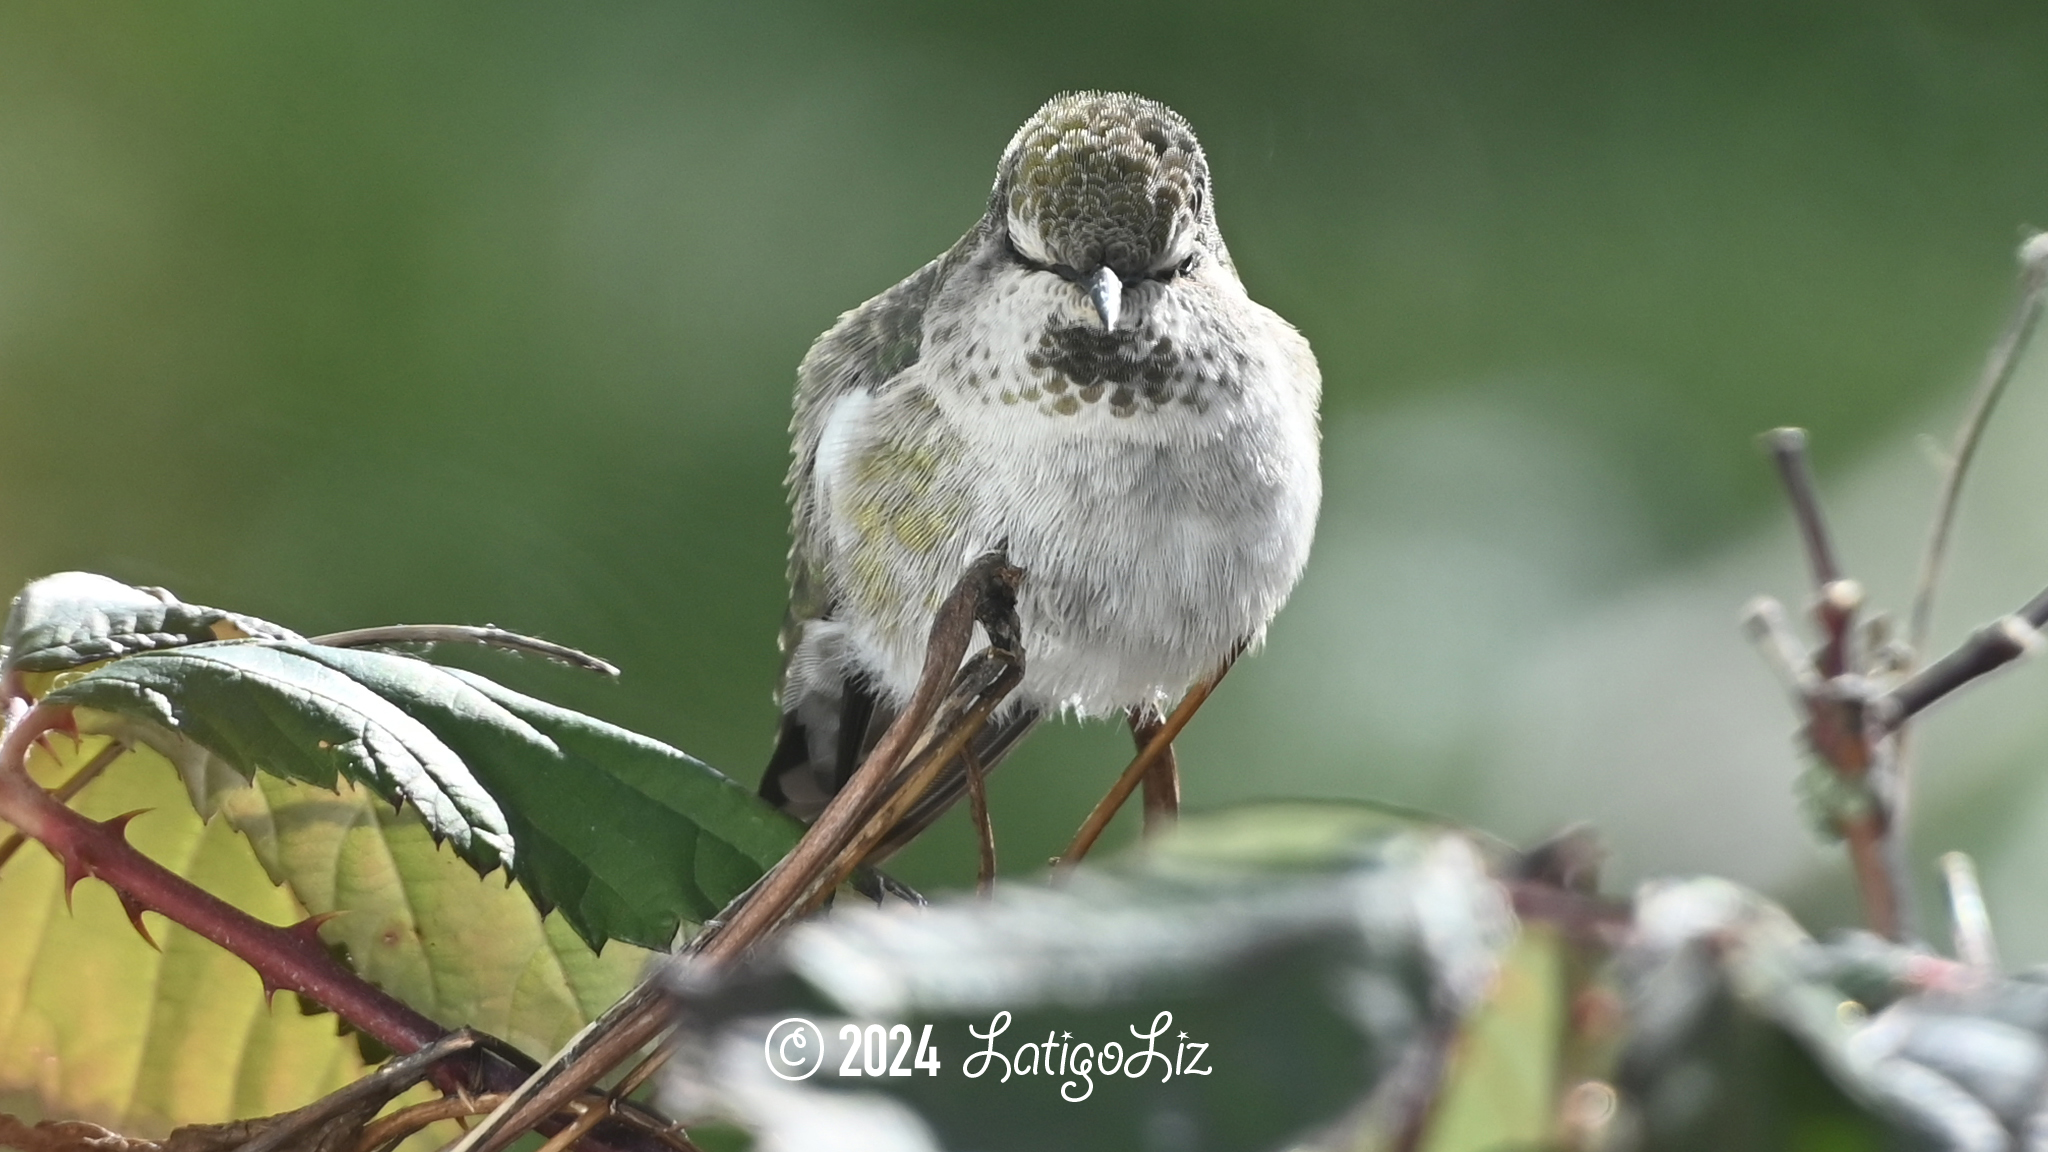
column 77, row 618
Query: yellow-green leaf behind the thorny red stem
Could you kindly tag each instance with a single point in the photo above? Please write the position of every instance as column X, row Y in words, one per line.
column 99, row 1026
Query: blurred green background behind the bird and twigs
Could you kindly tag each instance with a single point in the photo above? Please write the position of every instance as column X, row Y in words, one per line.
column 353, row 315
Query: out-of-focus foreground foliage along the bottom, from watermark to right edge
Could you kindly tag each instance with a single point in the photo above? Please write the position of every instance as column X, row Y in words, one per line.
column 1377, row 999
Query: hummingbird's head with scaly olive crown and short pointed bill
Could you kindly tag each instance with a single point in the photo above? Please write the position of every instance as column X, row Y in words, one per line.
column 1109, row 192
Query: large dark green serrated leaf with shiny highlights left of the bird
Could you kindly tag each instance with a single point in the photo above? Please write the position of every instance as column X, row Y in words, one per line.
column 626, row 835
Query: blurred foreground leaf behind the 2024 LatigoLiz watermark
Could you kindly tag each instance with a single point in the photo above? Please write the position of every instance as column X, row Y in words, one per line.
column 1297, row 993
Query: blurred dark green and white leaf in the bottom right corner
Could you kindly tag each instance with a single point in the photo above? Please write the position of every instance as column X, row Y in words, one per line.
column 1750, row 1034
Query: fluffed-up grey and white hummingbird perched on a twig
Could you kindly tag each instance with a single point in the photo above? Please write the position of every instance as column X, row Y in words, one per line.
column 1084, row 382
